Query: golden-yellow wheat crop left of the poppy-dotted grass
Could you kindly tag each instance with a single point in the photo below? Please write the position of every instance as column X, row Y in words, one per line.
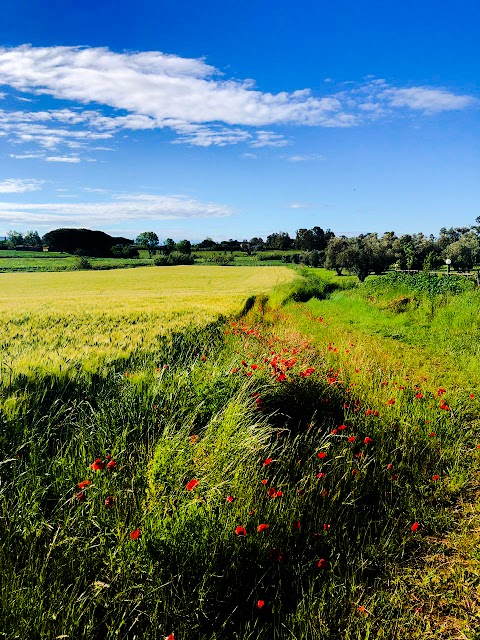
column 55, row 321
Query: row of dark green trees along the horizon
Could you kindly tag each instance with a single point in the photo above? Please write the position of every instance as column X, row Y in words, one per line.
column 361, row 255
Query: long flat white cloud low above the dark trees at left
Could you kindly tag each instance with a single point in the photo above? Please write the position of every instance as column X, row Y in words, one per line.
column 152, row 208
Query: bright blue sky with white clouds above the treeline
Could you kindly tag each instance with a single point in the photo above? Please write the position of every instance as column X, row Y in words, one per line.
column 234, row 120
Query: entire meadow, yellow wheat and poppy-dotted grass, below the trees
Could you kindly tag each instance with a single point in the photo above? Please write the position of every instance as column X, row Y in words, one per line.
column 302, row 464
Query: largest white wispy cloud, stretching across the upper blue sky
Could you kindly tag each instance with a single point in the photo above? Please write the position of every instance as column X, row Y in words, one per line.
column 153, row 90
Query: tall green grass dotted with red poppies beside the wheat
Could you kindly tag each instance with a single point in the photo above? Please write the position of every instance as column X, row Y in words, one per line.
column 243, row 409
